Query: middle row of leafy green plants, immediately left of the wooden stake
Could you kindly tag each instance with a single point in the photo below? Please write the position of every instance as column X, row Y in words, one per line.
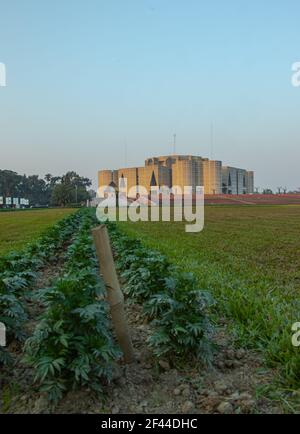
column 72, row 345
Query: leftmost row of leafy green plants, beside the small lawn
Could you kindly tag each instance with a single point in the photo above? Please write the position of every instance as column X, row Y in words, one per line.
column 19, row 270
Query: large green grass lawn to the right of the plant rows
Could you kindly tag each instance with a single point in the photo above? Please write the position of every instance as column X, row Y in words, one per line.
column 249, row 258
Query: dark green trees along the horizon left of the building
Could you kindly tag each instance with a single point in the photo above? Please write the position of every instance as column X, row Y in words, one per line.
column 70, row 188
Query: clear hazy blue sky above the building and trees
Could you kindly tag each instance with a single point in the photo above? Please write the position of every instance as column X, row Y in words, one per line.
column 85, row 78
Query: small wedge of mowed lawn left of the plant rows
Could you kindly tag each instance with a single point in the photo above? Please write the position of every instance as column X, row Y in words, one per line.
column 20, row 227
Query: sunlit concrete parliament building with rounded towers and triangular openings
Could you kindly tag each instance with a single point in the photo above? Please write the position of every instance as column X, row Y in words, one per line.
column 183, row 170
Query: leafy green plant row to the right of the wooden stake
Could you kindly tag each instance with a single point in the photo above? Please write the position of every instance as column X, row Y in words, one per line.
column 171, row 299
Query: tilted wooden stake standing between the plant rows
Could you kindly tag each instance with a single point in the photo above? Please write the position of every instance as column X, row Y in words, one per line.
column 114, row 294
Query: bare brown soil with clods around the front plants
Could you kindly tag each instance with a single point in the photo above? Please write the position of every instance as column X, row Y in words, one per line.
column 152, row 386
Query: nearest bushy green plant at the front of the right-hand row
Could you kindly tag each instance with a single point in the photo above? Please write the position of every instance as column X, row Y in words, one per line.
column 181, row 325
